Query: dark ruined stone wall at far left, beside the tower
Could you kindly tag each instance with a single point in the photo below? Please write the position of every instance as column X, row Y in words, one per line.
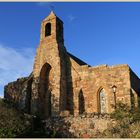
column 19, row 92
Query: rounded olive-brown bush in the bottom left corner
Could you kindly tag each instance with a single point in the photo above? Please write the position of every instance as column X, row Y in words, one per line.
column 12, row 122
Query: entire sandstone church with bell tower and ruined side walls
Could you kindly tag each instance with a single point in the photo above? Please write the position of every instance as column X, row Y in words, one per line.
column 62, row 84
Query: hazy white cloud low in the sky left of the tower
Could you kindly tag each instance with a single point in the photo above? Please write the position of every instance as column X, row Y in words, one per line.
column 14, row 63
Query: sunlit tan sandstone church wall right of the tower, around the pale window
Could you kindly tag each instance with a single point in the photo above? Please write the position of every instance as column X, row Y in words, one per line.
column 88, row 81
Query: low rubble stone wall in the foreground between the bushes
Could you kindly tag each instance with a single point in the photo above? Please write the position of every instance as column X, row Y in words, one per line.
column 83, row 126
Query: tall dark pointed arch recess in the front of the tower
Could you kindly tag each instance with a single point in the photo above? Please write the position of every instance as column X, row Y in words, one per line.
column 45, row 92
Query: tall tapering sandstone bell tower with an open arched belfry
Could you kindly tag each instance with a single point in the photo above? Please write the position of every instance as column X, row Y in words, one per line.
column 49, row 84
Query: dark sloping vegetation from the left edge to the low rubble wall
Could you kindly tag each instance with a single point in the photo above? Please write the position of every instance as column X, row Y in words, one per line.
column 16, row 124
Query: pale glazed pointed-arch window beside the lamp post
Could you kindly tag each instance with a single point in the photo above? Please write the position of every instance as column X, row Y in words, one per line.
column 103, row 101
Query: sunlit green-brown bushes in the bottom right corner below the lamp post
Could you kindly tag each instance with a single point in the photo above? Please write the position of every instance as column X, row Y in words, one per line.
column 126, row 123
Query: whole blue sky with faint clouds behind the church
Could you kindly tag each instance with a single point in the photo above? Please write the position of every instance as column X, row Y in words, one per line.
column 98, row 33
